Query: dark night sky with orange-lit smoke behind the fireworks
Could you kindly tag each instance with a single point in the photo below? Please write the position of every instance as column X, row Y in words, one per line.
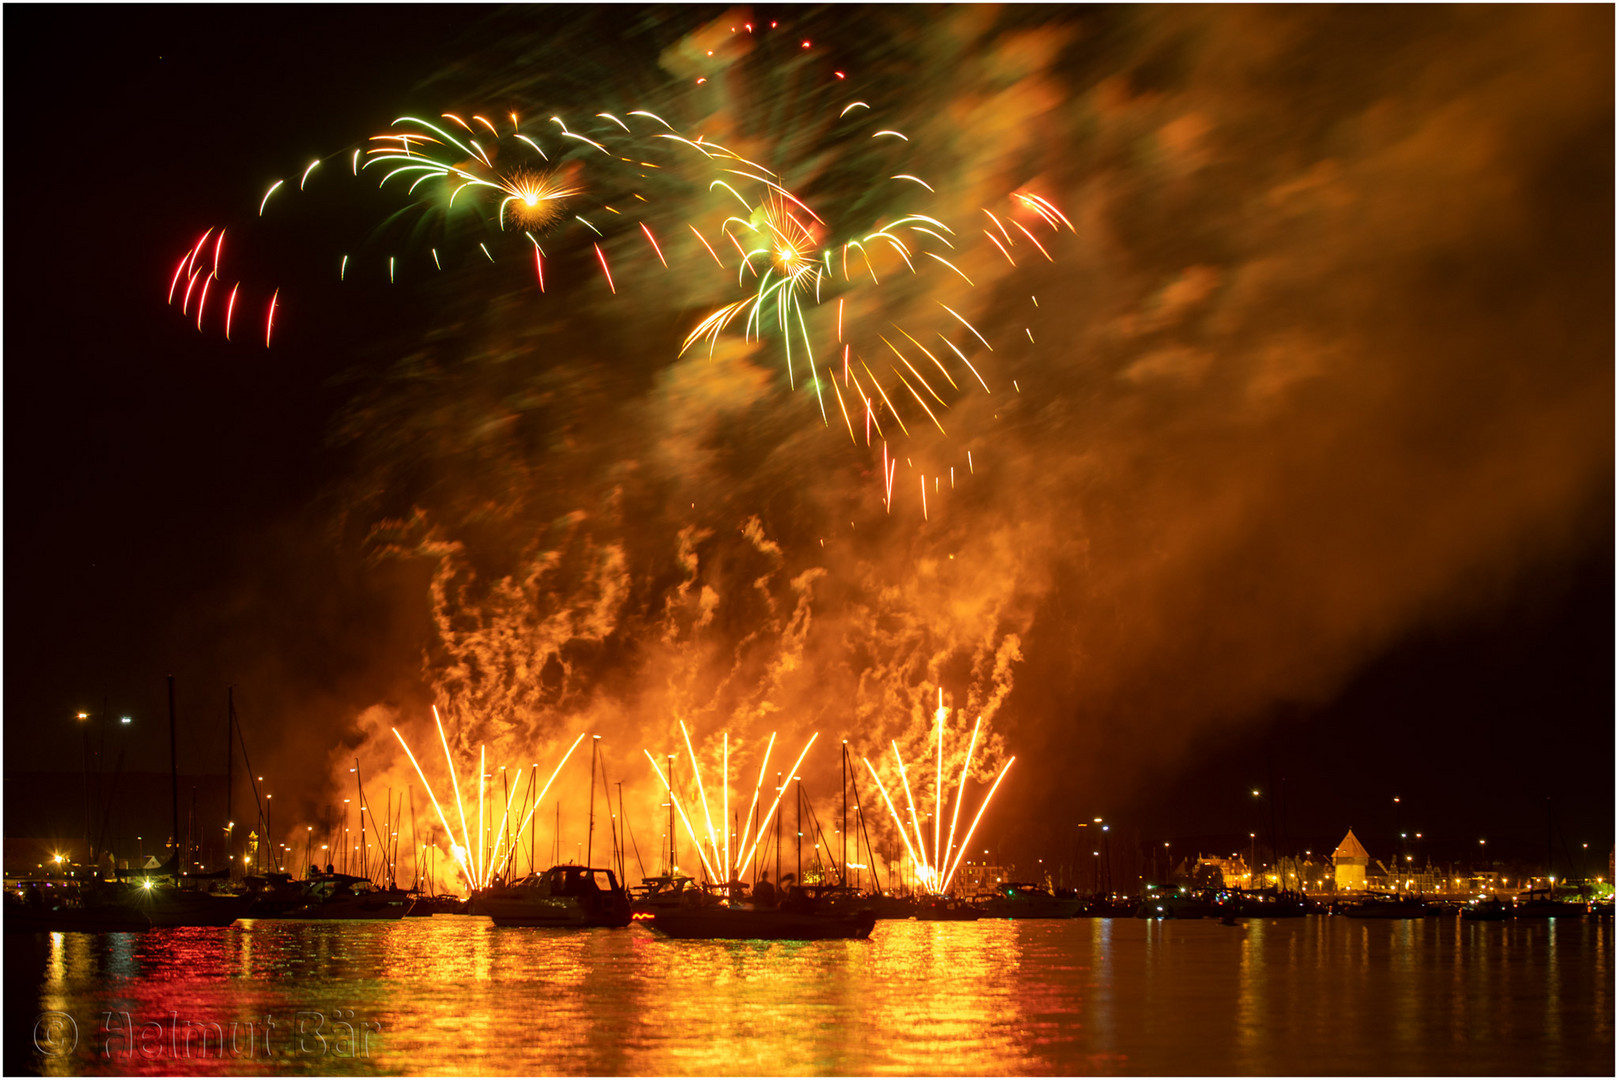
column 1305, row 482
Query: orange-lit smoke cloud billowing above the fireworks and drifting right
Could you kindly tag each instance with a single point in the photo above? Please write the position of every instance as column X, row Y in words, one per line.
column 1326, row 359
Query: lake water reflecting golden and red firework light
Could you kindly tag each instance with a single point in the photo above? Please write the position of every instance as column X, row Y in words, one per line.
column 455, row 995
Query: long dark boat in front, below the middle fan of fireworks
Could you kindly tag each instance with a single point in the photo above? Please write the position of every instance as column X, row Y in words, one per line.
column 803, row 916
